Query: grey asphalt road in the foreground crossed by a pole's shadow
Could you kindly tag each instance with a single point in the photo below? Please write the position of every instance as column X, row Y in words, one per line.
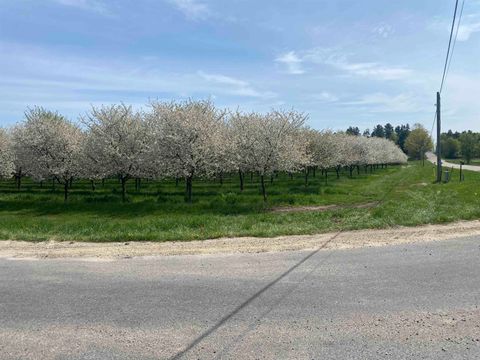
column 417, row 301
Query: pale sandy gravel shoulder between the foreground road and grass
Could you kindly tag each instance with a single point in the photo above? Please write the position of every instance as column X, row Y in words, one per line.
column 340, row 240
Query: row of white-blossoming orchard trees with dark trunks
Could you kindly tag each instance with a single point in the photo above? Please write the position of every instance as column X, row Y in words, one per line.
column 181, row 140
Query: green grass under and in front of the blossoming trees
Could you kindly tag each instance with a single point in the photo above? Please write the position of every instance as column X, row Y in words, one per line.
column 406, row 195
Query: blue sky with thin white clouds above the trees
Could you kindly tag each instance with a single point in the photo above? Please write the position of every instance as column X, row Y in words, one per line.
column 343, row 62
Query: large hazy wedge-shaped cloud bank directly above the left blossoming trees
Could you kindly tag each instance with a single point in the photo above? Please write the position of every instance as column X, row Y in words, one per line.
column 35, row 76
